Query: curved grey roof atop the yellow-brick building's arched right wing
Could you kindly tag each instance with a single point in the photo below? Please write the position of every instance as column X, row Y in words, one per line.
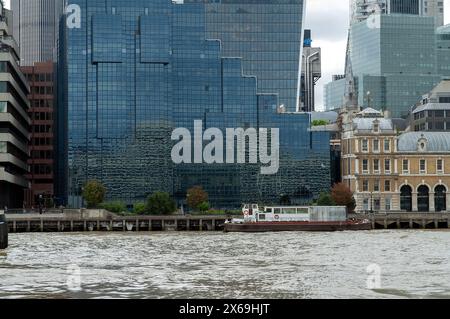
column 436, row 141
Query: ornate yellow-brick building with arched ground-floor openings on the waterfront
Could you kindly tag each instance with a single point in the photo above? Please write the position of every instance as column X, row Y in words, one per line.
column 389, row 171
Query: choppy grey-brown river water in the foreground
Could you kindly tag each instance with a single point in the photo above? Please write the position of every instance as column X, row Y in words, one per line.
column 411, row 264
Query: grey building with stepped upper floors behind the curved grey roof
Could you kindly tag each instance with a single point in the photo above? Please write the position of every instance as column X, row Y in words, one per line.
column 432, row 113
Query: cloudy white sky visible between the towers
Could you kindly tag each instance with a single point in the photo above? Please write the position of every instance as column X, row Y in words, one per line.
column 328, row 20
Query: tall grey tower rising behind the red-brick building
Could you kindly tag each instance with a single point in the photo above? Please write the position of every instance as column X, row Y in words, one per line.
column 35, row 27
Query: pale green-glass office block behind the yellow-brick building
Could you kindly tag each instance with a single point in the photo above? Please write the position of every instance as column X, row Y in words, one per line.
column 395, row 61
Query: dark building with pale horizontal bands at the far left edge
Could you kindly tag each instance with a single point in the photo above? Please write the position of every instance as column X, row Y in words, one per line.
column 14, row 120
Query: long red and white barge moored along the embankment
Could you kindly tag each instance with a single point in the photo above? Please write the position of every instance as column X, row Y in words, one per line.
column 278, row 219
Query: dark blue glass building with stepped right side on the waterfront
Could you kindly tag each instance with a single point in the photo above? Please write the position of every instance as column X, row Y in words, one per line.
column 136, row 70
